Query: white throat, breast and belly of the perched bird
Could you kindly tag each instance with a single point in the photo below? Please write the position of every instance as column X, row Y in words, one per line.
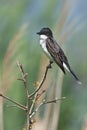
column 43, row 45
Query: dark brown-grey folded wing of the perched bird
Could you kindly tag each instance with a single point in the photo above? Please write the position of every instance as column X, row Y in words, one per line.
column 57, row 53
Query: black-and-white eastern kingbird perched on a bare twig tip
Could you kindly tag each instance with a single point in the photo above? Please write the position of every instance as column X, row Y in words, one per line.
column 54, row 51
